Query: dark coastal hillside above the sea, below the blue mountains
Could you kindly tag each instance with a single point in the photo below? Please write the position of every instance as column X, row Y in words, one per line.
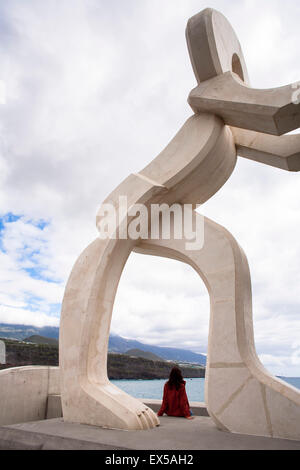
column 120, row 366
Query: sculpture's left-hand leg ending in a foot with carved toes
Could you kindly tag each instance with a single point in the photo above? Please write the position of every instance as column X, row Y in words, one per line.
column 87, row 395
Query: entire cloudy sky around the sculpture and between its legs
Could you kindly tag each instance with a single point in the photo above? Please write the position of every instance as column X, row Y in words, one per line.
column 93, row 90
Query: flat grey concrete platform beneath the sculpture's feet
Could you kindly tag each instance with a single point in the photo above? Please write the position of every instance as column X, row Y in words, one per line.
column 173, row 434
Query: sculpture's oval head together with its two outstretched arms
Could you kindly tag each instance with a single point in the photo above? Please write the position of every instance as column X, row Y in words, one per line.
column 224, row 90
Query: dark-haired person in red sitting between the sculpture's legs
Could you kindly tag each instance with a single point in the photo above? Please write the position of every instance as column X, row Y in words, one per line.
column 175, row 400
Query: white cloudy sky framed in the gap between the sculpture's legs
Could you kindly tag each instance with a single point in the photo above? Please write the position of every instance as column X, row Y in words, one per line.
column 164, row 302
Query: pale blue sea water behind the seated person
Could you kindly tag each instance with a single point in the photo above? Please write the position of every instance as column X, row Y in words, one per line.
column 154, row 388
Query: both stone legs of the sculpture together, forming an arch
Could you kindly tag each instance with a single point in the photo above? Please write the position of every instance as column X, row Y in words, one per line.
column 241, row 396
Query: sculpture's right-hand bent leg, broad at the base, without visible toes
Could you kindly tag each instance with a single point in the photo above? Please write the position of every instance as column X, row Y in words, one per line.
column 240, row 394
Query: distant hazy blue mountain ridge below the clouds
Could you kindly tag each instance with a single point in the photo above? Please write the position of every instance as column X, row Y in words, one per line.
column 116, row 343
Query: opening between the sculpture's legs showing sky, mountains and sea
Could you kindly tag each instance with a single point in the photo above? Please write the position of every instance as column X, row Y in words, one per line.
column 161, row 303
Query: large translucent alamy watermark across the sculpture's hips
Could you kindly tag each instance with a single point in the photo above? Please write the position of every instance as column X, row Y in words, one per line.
column 158, row 221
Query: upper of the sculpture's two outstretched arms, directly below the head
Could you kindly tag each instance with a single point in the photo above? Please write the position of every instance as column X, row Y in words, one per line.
column 227, row 96
